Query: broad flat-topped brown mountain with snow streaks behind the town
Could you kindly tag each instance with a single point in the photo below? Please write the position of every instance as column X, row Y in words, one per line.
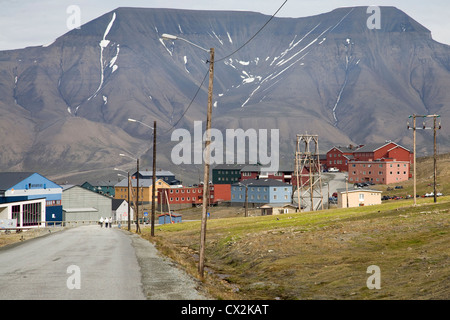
column 65, row 106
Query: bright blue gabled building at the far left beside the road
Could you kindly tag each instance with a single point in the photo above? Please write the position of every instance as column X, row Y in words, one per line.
column 22, row 186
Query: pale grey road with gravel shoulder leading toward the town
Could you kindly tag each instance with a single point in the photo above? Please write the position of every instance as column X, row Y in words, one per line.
column 90, row 262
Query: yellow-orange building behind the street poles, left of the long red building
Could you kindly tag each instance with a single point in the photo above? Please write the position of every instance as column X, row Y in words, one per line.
column 145, row 189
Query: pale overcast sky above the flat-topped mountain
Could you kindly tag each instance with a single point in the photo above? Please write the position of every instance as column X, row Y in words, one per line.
column 39, row 22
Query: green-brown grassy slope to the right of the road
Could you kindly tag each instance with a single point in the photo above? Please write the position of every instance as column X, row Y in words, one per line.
column 321, row 255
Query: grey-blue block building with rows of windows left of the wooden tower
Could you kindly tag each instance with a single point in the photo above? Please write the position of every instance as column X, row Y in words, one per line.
column 261, row 191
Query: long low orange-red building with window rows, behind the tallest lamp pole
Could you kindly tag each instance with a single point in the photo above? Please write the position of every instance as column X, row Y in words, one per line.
column 184, row 197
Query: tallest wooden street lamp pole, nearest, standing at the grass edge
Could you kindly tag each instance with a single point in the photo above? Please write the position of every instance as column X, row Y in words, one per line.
column 201, row 262
